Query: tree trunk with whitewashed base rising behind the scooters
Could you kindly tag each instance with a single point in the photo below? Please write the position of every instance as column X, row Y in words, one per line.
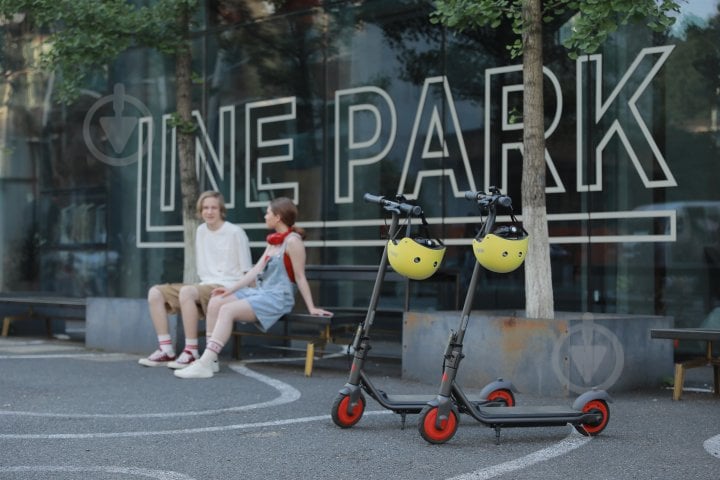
column 538, row 279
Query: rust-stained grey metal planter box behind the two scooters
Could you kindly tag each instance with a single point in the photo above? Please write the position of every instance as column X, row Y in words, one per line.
column 563, row 356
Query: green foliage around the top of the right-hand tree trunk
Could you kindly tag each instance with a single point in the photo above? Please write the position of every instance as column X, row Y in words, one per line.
column 592, row 21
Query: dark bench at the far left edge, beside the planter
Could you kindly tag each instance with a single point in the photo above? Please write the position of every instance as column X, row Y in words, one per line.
column 17, row 307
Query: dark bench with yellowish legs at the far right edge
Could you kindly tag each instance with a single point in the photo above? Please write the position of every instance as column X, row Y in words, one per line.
column 699, row 334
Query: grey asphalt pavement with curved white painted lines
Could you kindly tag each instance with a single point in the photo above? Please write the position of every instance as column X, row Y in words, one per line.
column 67, row 412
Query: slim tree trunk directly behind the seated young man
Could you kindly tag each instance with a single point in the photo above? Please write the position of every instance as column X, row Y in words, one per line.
column 189, row 187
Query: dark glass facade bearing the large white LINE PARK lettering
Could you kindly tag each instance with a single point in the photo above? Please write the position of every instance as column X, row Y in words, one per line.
column 324, row 101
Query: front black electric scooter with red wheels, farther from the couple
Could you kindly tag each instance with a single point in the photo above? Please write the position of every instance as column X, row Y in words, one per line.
column 438, row 420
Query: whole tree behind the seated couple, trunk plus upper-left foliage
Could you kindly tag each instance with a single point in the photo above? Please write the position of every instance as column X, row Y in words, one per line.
column 84, row 36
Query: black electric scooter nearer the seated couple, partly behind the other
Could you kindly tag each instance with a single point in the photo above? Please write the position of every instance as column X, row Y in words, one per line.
column 348, row 407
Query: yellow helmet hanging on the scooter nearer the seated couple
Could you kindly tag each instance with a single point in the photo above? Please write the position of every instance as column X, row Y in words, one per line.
column 415, row 258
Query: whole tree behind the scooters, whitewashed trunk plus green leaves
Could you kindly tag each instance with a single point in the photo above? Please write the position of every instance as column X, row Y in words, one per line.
column 592, row 22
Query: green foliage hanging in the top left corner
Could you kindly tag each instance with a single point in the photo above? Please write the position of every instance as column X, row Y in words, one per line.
column 84, row 36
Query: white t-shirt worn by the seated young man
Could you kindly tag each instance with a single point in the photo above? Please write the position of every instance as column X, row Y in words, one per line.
column 223, row 255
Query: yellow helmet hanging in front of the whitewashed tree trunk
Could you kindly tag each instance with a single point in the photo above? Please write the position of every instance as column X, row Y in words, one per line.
column 503, row 250
